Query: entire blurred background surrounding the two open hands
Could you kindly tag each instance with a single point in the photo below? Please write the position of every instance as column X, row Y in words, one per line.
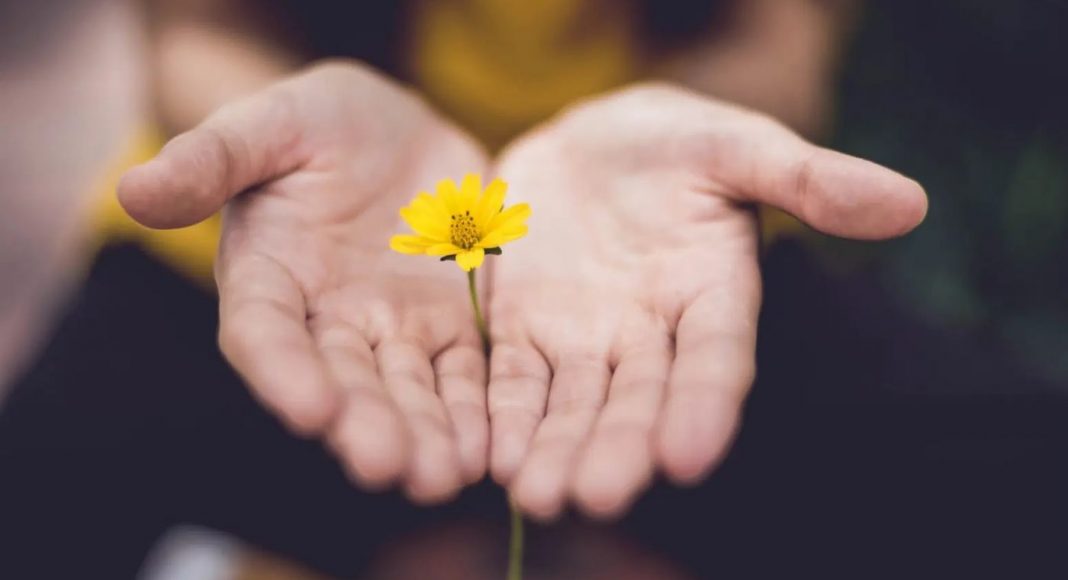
column 912, row 411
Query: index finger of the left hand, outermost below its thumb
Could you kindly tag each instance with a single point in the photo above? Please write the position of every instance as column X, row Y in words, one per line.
column 263, row 335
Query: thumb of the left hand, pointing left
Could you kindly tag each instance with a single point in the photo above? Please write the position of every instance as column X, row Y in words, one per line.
column 241, row 146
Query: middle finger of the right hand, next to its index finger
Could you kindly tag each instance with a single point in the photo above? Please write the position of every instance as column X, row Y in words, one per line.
column 618, row 463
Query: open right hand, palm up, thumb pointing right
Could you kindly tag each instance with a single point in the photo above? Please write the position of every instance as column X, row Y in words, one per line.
column 624, row 326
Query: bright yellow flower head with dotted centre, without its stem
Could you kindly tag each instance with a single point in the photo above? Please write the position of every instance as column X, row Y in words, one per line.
column 463, row 225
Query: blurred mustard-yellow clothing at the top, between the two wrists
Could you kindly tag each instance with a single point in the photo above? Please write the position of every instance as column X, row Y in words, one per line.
column 501, row 67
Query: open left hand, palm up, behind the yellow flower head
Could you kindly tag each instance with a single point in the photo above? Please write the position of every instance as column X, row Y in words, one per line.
column 333, row 331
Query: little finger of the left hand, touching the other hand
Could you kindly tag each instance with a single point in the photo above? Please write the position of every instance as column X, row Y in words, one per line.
column 462, row 385
